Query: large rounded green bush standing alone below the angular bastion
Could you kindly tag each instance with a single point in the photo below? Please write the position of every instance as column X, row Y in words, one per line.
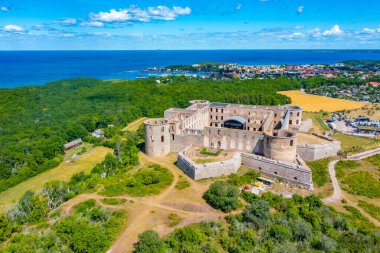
column 222, row 195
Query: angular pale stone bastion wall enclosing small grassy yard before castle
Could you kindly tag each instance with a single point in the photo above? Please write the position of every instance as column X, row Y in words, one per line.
column 207, row 170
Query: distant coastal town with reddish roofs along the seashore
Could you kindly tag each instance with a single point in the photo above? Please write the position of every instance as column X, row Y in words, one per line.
column 348, row 69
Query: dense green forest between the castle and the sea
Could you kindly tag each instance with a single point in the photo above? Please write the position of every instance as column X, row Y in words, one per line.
column 36, row 121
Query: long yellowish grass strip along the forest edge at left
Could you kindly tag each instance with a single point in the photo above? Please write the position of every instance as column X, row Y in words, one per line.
column 64, row 171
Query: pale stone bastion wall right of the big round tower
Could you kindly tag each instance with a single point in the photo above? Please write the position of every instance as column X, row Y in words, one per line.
column 312, row 152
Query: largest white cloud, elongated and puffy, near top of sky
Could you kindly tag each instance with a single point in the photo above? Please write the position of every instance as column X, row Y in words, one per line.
column 135, row 14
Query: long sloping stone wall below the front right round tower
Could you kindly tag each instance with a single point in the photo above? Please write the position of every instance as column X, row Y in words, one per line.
column 297, row 174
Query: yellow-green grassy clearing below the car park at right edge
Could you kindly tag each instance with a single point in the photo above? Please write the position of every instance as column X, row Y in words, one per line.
column 354, row 144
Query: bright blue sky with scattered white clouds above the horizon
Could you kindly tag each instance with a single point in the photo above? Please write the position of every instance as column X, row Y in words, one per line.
column 212, row 24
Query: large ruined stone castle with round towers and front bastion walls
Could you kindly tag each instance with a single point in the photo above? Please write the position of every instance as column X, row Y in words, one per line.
column 262, row 137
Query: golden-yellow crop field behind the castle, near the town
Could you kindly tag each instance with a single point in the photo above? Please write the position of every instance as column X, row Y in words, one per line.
column 314, row 103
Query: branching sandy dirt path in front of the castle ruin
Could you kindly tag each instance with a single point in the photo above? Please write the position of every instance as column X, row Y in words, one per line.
column 151, row 212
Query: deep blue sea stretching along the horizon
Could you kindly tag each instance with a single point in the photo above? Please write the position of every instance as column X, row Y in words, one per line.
column 25, row 68
